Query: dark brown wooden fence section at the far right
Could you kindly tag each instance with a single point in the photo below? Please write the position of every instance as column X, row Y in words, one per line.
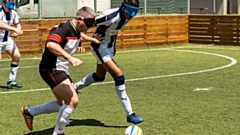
column 214, row 29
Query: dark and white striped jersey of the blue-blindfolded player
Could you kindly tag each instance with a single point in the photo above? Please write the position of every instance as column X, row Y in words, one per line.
column 109, row 23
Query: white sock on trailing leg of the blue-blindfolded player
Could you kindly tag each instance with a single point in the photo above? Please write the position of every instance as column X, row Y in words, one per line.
column 86, row 81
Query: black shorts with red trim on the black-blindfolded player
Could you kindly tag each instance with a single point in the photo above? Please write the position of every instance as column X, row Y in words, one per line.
column 53, row 77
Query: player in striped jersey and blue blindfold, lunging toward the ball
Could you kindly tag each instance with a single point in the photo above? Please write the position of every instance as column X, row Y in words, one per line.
column 108, row 24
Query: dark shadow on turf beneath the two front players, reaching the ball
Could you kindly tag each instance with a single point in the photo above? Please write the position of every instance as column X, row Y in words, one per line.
column 75, row 122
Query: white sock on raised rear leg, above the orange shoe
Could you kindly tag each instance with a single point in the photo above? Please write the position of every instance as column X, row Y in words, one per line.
column 48, row 107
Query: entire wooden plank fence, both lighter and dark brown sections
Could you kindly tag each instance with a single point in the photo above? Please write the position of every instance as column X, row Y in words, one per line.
column 146, row 31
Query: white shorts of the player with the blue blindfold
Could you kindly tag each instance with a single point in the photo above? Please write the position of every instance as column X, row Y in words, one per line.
column 103, row 53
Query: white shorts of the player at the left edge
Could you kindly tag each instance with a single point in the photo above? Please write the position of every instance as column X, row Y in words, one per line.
column 8, row 45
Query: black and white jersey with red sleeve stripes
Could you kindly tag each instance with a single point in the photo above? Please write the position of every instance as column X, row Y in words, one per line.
column 65, row 35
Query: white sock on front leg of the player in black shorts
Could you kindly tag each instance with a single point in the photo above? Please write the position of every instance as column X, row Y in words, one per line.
column 63, row 116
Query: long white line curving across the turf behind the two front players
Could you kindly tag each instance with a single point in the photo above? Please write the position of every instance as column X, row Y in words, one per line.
column 233, row 62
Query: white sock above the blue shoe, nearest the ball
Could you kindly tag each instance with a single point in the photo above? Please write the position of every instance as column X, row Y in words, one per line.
column 123, row 97
